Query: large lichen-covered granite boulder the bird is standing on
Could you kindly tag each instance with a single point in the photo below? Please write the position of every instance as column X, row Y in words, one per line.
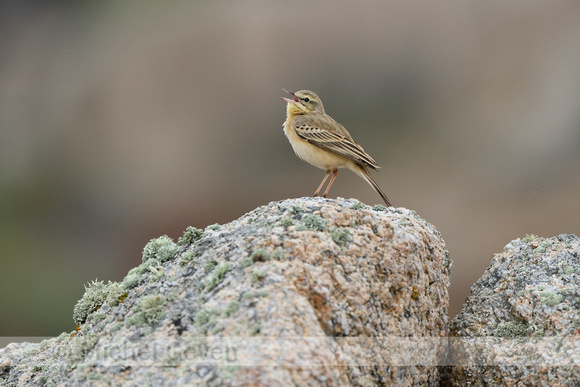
column 296, row 292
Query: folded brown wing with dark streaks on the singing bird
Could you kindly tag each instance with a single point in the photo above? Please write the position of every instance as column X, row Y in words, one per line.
column 335, row 142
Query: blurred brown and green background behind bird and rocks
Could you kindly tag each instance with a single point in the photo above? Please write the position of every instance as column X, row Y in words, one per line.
column 124, row 121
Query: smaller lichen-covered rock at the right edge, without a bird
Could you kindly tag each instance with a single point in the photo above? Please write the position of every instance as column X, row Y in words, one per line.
column 521, row 323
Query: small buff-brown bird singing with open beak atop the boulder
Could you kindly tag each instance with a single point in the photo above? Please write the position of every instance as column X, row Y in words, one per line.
column 324, row 143
